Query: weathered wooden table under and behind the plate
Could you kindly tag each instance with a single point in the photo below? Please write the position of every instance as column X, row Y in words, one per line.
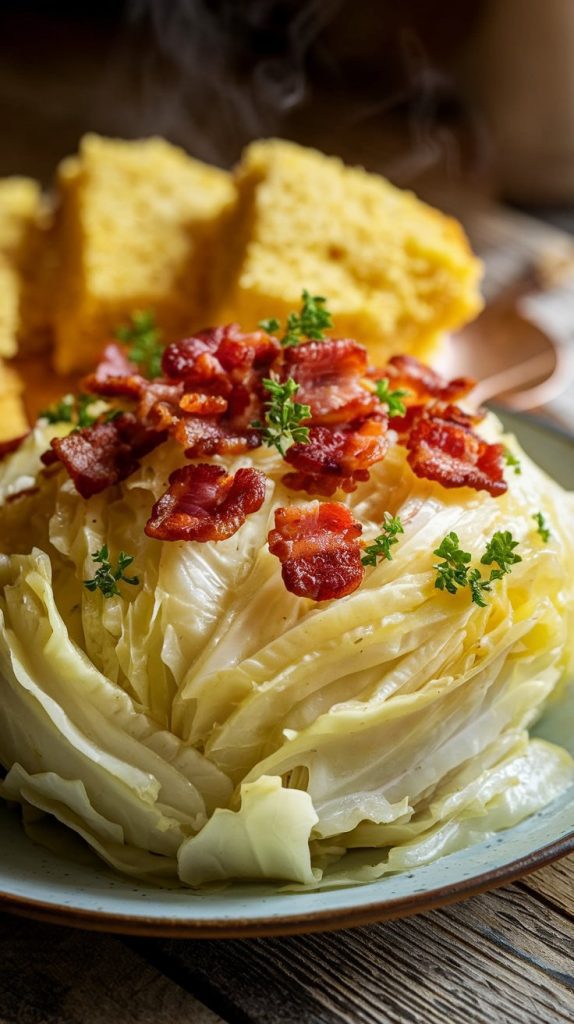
column 503, row 958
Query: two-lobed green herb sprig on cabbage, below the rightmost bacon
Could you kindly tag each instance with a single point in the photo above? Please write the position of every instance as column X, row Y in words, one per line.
column 455, row 572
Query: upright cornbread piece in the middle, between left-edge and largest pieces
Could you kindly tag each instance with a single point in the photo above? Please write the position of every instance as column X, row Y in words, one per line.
column 137, row 224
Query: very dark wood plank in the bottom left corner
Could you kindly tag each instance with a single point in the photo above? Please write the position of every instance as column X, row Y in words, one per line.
column 52, row 975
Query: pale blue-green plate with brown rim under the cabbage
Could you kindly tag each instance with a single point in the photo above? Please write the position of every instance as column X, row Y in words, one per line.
column 39, row 884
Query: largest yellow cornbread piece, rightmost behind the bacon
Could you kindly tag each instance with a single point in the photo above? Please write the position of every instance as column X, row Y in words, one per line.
column 396, row 272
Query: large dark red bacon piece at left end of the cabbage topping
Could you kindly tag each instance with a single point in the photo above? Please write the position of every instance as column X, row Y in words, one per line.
column 98, row 457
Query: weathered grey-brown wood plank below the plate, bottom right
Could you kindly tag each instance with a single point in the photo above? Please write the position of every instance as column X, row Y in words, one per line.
column 503, row 958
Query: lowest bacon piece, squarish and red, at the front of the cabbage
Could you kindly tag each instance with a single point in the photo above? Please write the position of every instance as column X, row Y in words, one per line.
column 318, row 545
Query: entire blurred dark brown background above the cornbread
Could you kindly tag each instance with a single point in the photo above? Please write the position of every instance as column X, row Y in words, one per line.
column 480, row 93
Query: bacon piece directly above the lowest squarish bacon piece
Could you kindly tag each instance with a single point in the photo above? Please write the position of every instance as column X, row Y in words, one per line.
column 337, row 458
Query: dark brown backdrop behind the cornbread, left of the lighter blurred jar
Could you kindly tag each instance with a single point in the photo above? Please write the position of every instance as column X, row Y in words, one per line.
column 372, row 80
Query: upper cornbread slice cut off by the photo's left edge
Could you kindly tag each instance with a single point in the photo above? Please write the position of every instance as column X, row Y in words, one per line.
column 24, row 296
